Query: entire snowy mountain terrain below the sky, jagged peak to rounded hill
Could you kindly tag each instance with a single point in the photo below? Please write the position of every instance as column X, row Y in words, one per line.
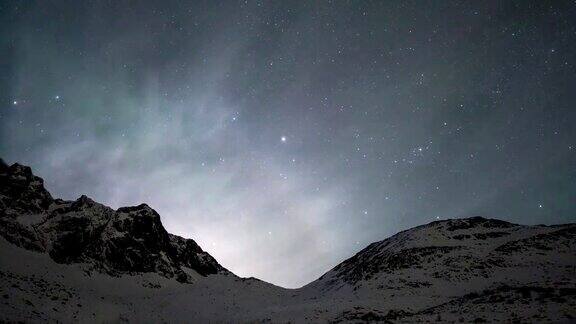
column 80, row 261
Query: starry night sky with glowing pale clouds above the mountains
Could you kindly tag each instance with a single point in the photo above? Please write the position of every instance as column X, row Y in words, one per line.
column 285, row 136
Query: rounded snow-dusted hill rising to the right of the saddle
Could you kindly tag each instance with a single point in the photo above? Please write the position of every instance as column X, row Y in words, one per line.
column 463, row 269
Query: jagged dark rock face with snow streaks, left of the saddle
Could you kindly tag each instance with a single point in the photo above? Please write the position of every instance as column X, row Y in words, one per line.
column 128, row 240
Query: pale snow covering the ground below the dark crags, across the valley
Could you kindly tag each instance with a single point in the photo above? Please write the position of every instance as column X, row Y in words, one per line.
column 35, row 288
